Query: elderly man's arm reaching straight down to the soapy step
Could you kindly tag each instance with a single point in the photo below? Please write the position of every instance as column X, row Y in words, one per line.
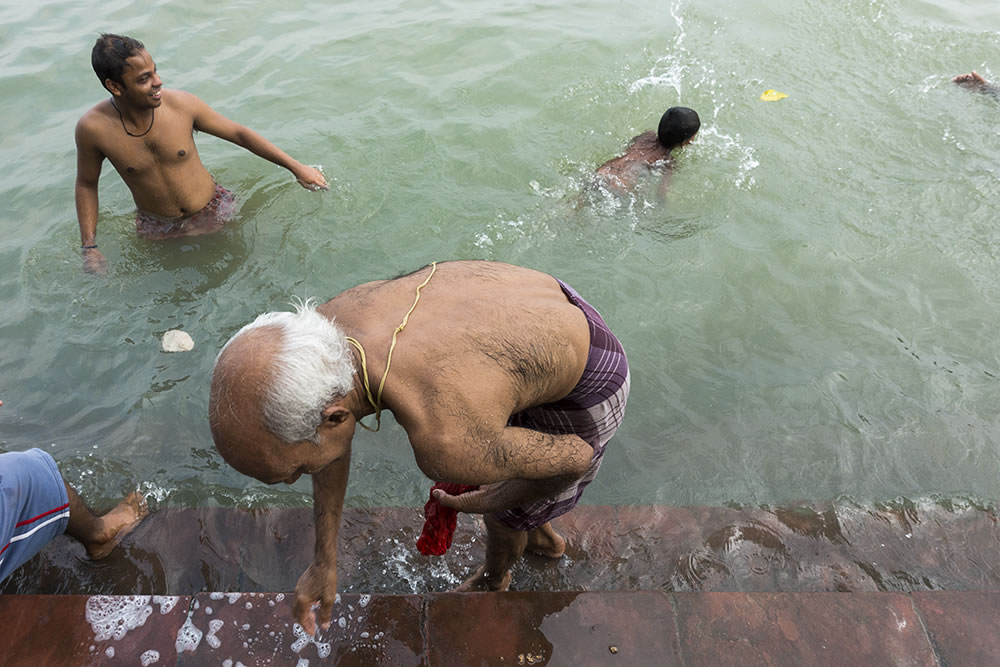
column 319, row 582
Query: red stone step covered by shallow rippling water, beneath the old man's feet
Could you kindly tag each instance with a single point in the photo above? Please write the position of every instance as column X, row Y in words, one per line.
column 651, row 548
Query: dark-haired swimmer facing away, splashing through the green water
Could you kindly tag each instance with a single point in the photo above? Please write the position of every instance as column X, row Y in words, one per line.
column 650, row 150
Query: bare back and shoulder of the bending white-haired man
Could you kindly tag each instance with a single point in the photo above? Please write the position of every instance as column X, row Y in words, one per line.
column 485, row 341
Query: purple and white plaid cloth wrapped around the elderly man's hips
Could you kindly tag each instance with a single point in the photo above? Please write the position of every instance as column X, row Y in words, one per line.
column 593, row 410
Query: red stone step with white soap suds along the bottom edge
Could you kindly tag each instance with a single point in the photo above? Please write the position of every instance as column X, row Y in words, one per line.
column 445, row 629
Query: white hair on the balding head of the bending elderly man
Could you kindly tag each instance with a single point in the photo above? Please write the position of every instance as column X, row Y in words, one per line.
column 313, row 367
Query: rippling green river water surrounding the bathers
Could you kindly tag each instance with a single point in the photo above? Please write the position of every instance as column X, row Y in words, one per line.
column 810, row 315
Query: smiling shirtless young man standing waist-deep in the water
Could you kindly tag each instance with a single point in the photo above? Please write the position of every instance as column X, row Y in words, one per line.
column 147, row 133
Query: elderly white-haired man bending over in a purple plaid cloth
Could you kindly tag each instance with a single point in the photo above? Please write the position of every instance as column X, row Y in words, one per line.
column 504, row 377
